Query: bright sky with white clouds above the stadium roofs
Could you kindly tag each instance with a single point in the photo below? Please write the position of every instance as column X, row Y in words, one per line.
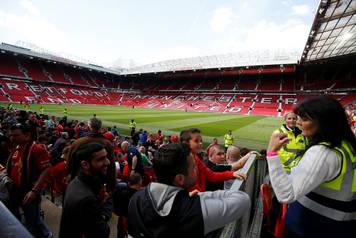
column 148, row 31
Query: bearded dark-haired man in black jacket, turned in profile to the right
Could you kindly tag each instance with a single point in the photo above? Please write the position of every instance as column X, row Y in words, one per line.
column 82, row 214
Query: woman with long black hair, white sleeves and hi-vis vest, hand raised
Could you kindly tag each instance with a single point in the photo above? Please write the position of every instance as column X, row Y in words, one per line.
column 321, row 188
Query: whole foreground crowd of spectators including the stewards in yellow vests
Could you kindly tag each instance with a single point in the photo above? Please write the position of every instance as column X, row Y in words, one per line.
column 168, row 185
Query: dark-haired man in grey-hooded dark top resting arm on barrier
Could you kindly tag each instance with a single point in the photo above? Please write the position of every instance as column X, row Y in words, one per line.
column 166, row 209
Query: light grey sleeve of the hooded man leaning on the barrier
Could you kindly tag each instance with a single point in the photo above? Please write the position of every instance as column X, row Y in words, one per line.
column 222, row 207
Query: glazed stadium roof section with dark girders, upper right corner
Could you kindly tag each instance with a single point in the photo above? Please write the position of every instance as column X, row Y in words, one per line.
column 333, row 32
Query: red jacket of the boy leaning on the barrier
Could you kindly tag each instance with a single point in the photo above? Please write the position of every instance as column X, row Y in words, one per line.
column 206, row 174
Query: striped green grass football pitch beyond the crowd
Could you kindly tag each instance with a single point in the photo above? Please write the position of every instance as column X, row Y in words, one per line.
column 250, row 131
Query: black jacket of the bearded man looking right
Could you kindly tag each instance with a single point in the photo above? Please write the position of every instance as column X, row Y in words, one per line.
column 82, row 210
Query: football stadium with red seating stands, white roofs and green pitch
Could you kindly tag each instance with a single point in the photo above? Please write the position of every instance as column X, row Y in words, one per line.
column 248, row 93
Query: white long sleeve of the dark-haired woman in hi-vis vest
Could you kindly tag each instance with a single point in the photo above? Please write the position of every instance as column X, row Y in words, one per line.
column 319, row 164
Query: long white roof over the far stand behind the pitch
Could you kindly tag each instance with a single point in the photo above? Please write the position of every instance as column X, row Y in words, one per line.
column 256, row 58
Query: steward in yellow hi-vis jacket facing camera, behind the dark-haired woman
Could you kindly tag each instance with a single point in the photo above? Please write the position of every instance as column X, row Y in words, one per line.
column 297, row 143
